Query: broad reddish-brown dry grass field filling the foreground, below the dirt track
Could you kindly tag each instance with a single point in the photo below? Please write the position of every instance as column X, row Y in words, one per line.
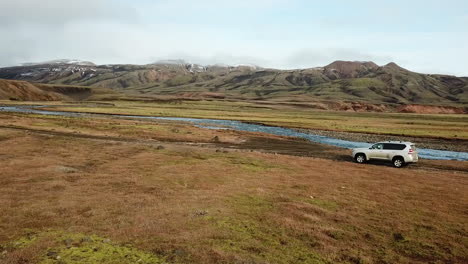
column 196, row 205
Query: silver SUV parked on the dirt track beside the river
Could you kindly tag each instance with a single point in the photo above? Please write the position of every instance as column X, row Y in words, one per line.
column 399, row 153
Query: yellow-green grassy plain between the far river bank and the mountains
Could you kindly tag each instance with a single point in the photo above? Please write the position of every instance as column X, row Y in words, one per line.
column 418, row 125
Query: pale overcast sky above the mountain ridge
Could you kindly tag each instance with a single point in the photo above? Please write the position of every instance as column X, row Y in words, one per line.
column 428, row 36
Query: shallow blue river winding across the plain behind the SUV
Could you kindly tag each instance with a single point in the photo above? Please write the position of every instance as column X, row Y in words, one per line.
column 241, row 126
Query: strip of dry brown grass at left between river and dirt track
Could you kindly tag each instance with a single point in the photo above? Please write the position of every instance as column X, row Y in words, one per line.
column 118, row 128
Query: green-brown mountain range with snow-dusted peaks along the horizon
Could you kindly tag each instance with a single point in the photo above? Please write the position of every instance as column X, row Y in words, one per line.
column 338, row 81
